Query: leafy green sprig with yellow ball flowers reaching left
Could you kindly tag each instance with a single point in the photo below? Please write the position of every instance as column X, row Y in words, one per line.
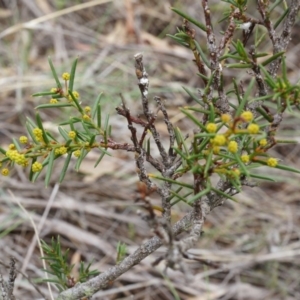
column 44, row 149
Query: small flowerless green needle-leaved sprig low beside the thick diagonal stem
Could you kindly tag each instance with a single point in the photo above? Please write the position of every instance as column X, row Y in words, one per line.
column 60, row 269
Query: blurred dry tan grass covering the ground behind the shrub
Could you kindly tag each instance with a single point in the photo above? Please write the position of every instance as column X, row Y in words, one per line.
column 250, row 249
